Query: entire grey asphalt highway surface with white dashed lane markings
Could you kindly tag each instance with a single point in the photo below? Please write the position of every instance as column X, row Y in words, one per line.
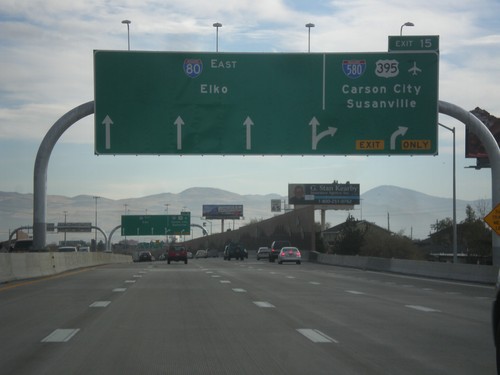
column 243, row 317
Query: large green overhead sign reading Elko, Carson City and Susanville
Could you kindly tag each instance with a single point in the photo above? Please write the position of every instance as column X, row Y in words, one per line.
column 265, row 104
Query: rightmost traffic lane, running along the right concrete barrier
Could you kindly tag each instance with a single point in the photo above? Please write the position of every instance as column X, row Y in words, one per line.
column 412, row 290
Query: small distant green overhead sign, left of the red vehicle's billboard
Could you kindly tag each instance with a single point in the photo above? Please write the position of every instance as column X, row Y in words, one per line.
column 155, row 225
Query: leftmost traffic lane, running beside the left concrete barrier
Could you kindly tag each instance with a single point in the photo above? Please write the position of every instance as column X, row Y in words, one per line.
column 33, row 309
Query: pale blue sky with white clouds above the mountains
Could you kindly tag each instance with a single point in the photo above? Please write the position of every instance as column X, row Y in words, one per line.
column 46, row 70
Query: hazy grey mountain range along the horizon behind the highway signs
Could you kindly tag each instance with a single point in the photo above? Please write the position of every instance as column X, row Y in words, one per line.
column 401, row 210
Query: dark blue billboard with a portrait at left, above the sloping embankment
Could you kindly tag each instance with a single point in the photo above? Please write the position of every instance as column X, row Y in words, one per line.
column 323, row 194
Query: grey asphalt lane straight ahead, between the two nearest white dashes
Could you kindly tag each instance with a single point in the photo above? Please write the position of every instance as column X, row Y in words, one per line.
column 184, row 320
